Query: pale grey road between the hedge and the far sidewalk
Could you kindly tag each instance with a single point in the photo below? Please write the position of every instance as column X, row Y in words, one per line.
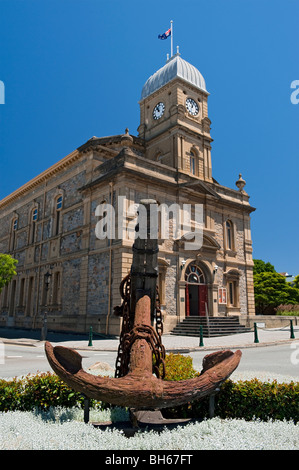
column 281, row 359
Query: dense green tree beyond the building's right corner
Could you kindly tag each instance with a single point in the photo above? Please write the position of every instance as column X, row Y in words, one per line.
column 271, row 290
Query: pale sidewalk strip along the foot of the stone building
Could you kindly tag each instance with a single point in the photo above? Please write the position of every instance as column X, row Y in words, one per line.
column 172, row 343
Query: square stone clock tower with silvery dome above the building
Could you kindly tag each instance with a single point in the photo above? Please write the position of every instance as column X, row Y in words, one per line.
column 174, row 119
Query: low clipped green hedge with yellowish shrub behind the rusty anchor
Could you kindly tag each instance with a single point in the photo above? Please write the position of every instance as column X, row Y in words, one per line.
column 247, row 399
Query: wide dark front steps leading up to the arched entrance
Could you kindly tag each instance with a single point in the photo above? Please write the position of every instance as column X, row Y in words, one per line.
column 213, row 326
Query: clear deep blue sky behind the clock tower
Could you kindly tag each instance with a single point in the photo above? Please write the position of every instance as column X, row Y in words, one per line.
column 73, row 69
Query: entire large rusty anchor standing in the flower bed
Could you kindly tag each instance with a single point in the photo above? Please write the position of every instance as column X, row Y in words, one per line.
column 135, row 385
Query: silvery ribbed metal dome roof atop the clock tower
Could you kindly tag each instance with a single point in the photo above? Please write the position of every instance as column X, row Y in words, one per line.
column 175, row 67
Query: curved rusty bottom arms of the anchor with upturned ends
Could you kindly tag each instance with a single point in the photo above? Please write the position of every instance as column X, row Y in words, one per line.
column 141, row 392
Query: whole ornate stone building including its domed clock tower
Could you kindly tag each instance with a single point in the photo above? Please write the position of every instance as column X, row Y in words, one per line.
column 49, row 224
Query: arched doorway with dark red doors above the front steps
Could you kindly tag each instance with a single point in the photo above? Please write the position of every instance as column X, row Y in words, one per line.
column 196, row 293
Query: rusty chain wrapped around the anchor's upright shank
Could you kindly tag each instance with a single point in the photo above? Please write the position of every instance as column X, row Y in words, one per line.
column 130, row 334
